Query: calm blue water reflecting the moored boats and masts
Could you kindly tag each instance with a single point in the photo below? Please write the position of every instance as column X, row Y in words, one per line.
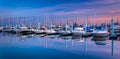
column 57, row 47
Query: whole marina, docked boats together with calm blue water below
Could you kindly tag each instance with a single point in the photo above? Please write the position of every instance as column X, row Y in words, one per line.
column 65, row 42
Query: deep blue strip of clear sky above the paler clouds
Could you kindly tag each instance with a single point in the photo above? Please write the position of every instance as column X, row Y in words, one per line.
column 34, row 3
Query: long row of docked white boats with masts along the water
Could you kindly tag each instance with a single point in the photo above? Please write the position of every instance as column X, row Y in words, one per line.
column 66, row 29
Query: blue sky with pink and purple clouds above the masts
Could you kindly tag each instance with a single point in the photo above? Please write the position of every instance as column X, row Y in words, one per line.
column 99, row 9
